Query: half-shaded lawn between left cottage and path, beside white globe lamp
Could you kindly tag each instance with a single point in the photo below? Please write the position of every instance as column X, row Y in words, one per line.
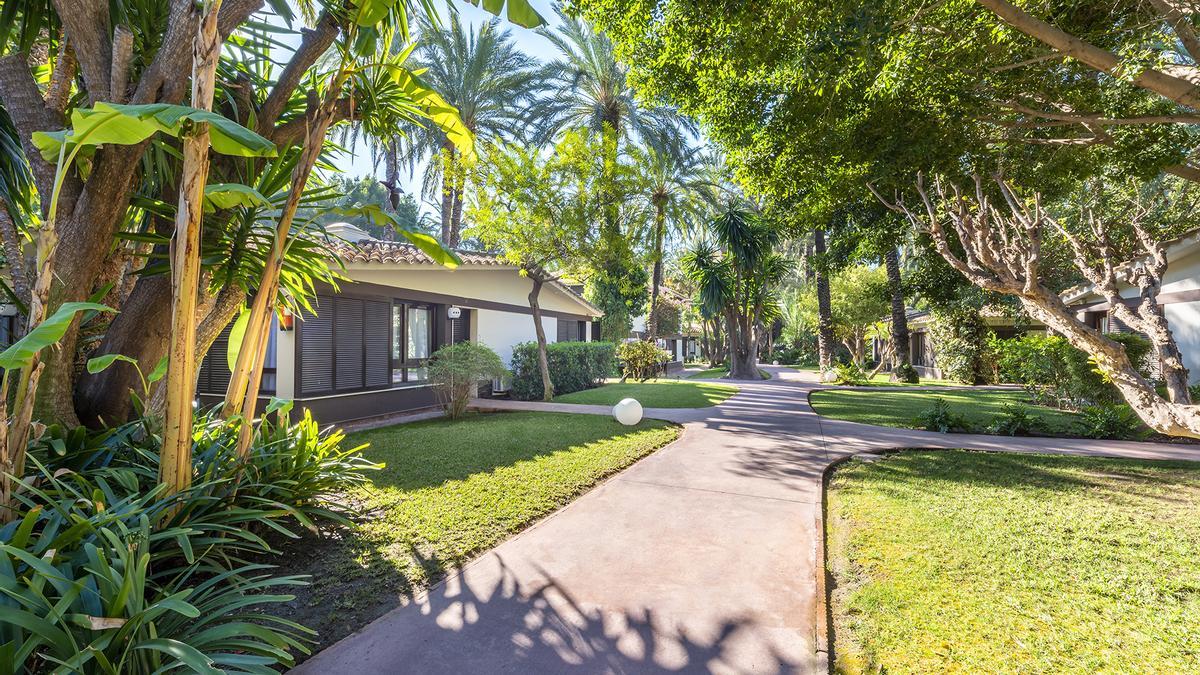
column 452, row 491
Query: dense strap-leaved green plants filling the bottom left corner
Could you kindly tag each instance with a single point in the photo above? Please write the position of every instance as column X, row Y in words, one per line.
column 101, row 572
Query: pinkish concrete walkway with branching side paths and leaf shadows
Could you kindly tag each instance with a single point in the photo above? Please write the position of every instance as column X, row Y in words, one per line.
column 703, row 558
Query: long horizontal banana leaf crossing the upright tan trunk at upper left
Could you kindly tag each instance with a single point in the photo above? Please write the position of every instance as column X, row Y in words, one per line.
column 128, row 126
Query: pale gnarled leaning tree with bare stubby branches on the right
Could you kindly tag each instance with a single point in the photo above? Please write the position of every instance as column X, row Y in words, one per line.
column 998, row 244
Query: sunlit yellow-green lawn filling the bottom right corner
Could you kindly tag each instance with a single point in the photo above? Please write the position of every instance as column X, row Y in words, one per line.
column 973, row 563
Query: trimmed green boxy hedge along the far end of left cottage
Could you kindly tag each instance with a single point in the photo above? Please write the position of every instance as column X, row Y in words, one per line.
column 574, row 367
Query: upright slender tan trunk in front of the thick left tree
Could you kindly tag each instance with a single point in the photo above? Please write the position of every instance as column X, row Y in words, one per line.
column 176, row 462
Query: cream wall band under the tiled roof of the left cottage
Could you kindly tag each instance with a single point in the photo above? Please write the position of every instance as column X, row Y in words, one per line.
column 494, row 285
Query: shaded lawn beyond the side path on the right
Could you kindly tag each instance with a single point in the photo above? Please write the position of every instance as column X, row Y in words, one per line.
column 901, row 408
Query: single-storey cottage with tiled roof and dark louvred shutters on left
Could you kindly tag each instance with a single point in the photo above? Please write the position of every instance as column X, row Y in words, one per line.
column 363, row 354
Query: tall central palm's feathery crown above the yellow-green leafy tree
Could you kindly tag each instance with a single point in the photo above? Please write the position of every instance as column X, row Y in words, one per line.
column 589, row 89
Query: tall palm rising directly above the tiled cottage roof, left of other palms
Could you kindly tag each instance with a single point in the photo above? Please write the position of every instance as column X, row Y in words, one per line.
column 482, row 73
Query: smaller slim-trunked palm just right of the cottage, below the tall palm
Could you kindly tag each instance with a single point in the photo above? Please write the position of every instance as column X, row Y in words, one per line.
column 676, row 186
